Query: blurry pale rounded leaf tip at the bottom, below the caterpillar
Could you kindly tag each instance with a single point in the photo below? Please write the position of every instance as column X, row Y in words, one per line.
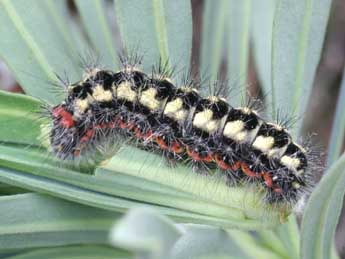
column 145, row 232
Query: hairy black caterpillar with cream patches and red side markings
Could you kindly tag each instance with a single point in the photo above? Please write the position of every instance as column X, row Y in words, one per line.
column 182, row 125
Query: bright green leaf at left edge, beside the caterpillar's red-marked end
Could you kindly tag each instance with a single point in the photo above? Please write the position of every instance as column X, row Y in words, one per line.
column 18, row 114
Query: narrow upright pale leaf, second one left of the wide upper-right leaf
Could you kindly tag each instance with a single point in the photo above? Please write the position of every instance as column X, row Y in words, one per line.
column 238, row 24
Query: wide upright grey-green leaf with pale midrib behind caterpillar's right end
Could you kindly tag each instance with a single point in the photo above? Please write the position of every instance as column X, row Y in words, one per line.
column 298, row 34
